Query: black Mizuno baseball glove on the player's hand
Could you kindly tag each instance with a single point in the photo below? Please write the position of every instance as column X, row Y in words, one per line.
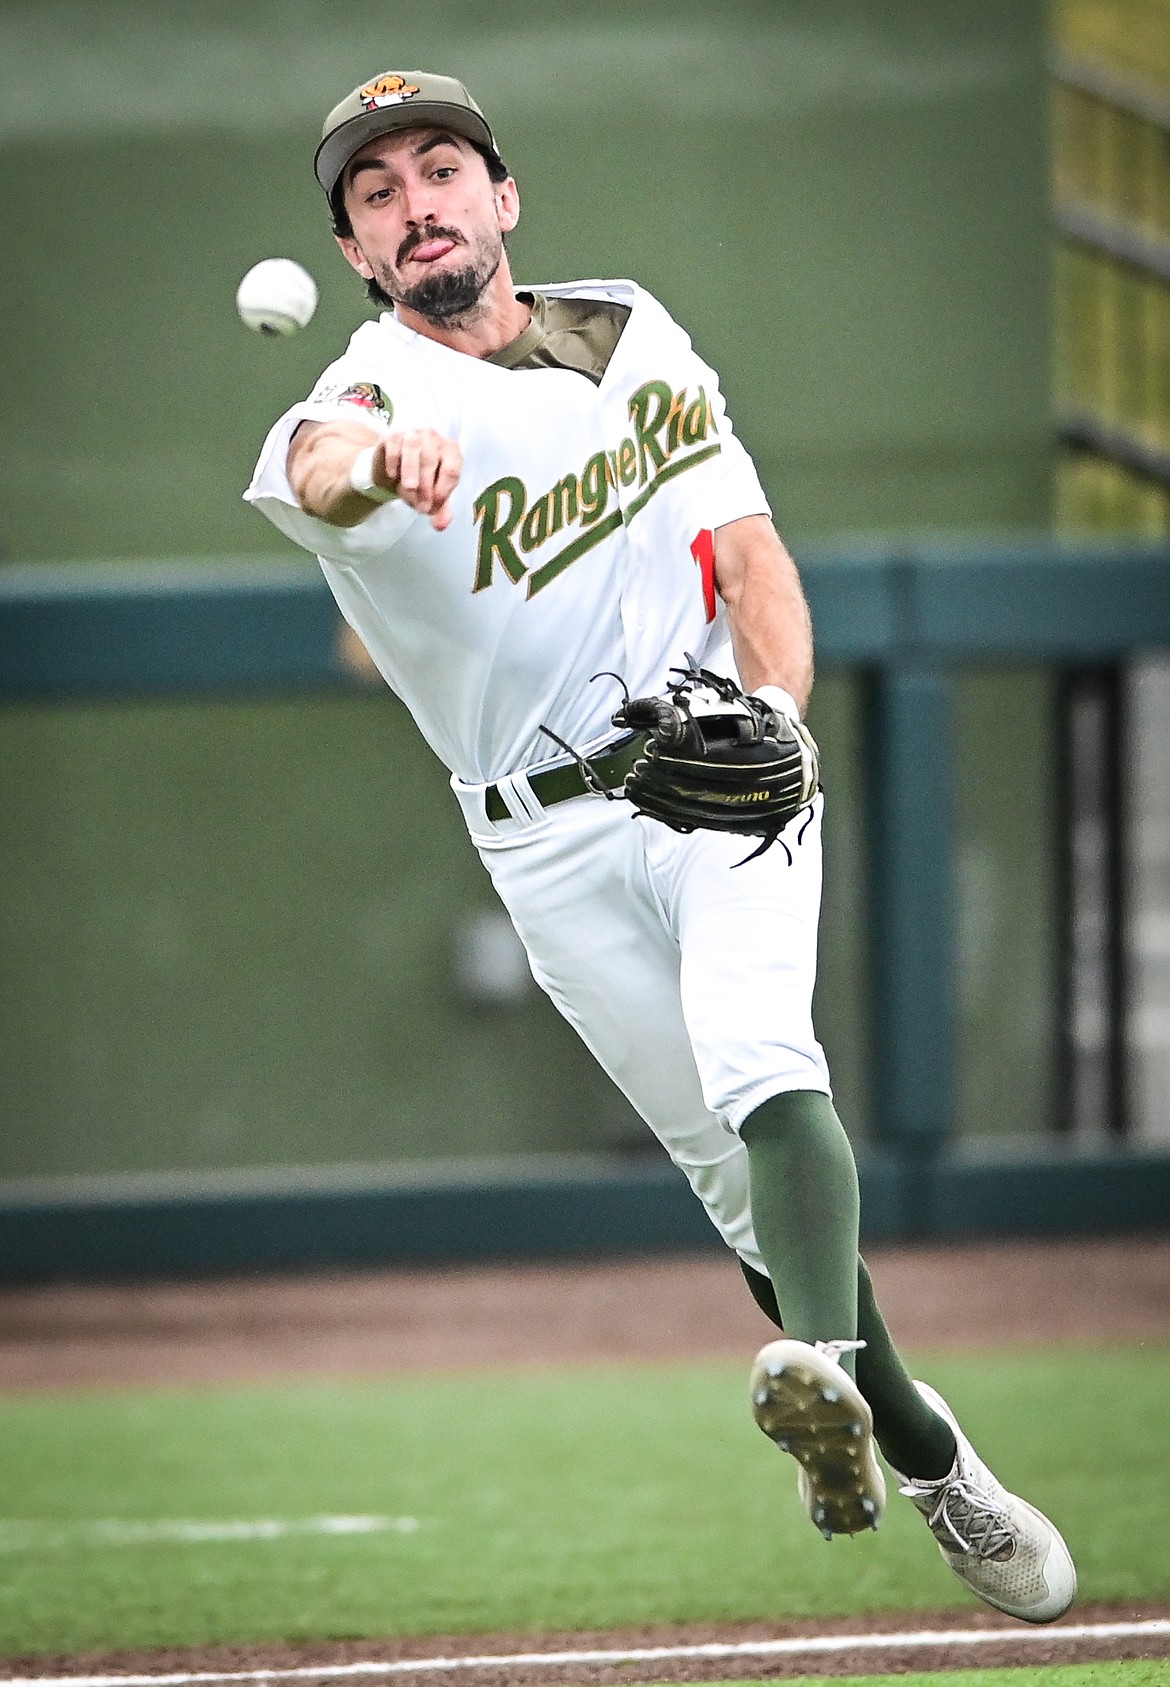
column 719, row 760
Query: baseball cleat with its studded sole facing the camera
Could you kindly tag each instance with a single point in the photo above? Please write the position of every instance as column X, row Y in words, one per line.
column 813, row 1409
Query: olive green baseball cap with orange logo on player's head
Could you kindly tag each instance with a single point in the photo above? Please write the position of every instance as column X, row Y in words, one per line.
column 397, row 100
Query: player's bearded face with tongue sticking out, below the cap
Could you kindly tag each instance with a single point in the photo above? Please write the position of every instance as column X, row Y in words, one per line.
column 429, row 224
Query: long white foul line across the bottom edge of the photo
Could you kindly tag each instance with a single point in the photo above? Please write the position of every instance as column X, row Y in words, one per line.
column 717, row 1649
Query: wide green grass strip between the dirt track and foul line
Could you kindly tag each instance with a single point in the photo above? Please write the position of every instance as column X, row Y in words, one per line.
column 545, row 1501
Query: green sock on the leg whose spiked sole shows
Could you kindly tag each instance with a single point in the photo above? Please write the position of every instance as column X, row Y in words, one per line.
column 805, row 1212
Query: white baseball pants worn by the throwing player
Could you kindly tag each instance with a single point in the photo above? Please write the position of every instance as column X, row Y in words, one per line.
column 690, row 979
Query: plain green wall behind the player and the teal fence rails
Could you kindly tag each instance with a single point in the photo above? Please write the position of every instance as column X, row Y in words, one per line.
column 230, row 929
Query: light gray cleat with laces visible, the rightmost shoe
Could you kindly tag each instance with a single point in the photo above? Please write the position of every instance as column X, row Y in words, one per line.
column 1002, row 1548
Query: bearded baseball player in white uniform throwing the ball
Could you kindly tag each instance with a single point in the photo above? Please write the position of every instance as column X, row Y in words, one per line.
column 534, row 512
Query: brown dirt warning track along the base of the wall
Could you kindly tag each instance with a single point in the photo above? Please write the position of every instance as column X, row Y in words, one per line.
column 554, row 1313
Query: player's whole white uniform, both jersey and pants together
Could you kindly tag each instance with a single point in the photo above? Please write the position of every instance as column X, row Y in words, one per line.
column 582, row 542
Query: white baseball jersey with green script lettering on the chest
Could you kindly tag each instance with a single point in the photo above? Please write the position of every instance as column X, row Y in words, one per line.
column 579, row 542
